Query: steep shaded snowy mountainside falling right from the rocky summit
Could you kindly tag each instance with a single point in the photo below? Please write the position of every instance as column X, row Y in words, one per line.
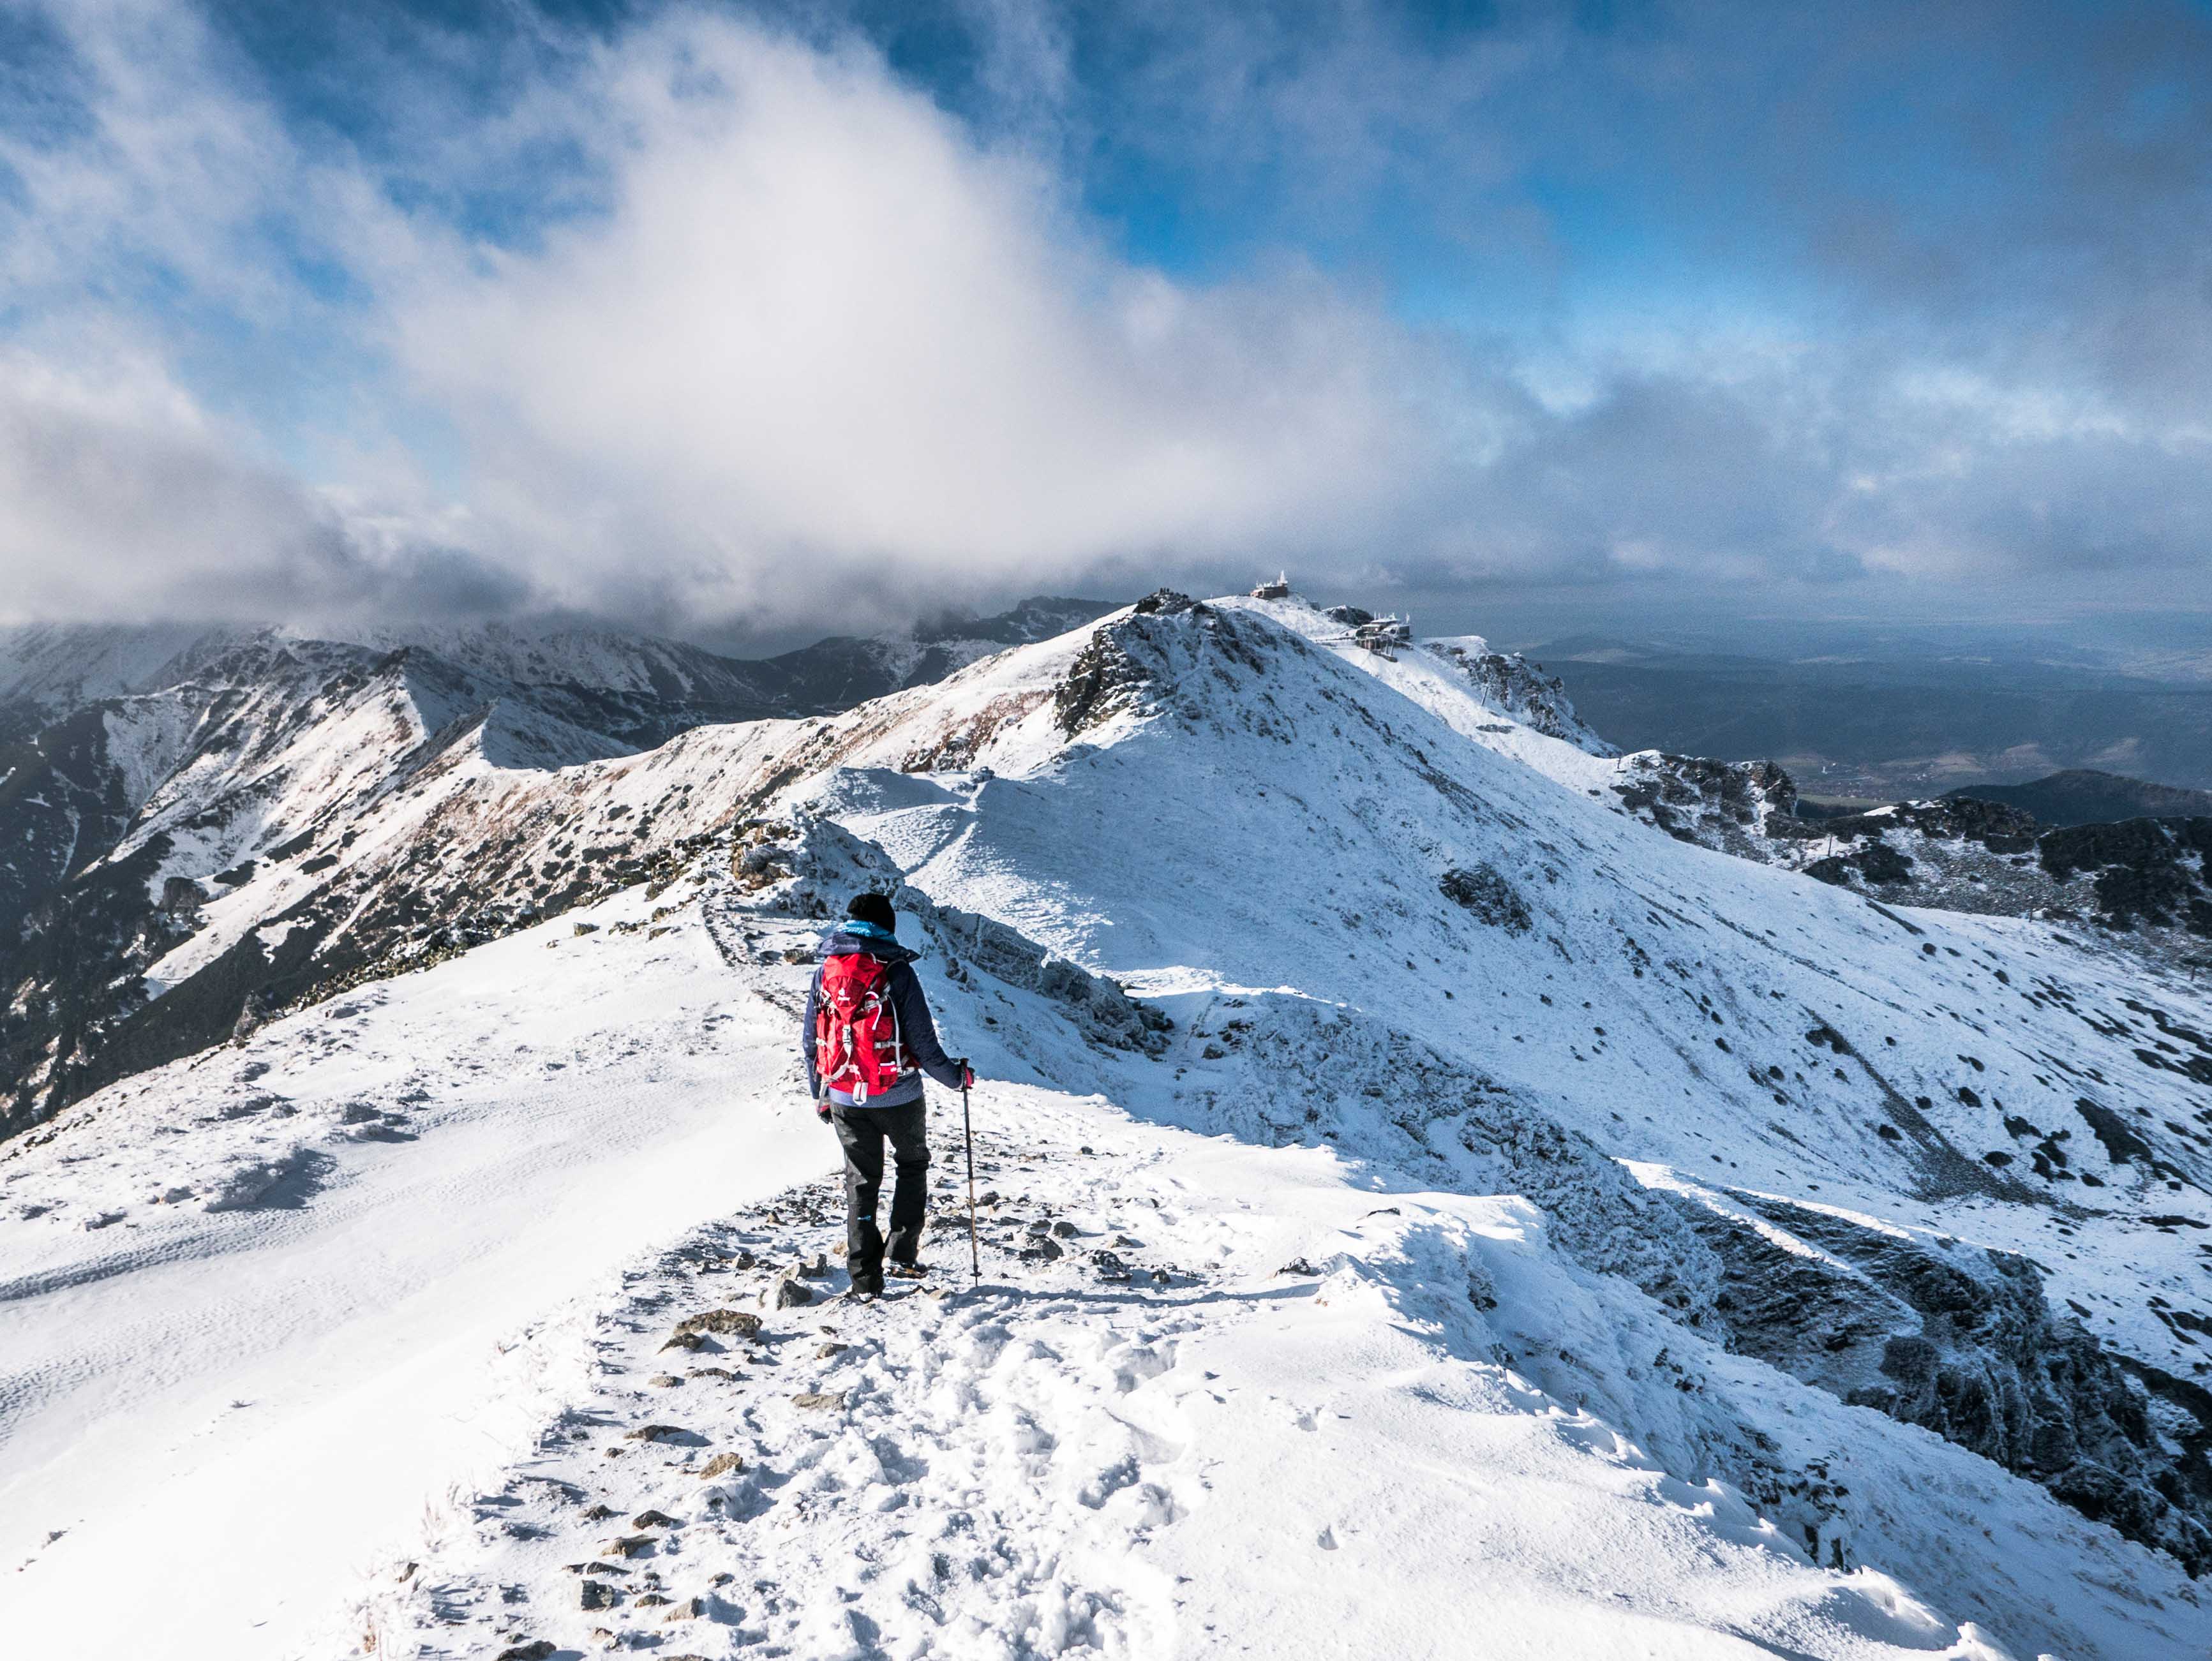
column 1373, row 930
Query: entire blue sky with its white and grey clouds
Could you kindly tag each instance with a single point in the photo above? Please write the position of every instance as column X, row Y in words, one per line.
column 671, row 313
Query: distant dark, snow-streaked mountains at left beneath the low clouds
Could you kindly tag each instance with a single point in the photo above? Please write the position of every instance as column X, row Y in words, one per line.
column 156, row 782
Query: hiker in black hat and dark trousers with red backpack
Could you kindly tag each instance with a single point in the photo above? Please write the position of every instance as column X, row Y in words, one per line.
column 868, row 1041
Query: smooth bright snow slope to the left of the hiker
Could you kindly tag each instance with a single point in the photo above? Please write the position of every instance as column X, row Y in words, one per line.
column 211, row 1417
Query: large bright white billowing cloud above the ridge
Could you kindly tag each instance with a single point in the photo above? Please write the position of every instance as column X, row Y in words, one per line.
column 822, row 337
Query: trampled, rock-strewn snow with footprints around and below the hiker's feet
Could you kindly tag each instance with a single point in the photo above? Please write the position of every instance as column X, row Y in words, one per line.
column 1235, row 1461
